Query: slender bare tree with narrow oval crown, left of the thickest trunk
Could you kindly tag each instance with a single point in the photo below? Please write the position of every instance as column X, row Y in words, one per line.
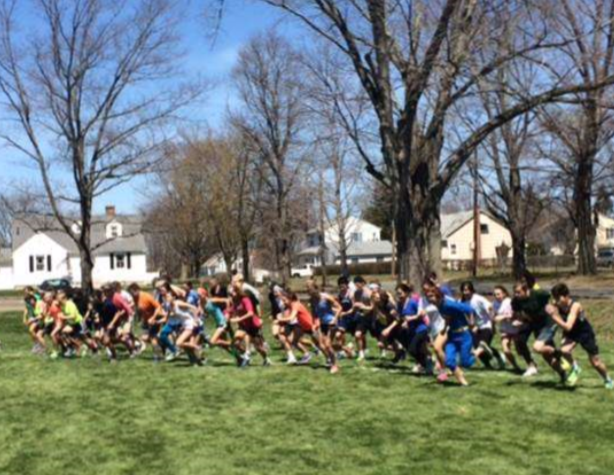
column 269, row 82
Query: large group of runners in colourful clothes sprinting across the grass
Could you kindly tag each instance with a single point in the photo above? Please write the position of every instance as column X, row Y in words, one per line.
column 441, row 335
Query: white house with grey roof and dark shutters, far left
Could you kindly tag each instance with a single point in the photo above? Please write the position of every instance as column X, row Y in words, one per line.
column 42, row 251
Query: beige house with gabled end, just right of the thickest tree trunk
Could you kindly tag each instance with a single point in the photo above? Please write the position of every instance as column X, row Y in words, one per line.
column 457, row 233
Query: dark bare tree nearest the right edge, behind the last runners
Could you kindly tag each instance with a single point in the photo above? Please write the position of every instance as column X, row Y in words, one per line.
column 584, row 128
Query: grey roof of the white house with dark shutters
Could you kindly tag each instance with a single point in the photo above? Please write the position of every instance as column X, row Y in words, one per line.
column 132, row 239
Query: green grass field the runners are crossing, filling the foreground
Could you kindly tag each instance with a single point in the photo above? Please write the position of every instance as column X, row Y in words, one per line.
column 137, row 417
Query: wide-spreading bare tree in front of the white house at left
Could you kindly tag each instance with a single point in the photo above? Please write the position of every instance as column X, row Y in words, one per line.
column 82, row 92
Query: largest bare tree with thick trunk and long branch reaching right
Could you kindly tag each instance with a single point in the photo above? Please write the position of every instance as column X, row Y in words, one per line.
column 416, row 64
